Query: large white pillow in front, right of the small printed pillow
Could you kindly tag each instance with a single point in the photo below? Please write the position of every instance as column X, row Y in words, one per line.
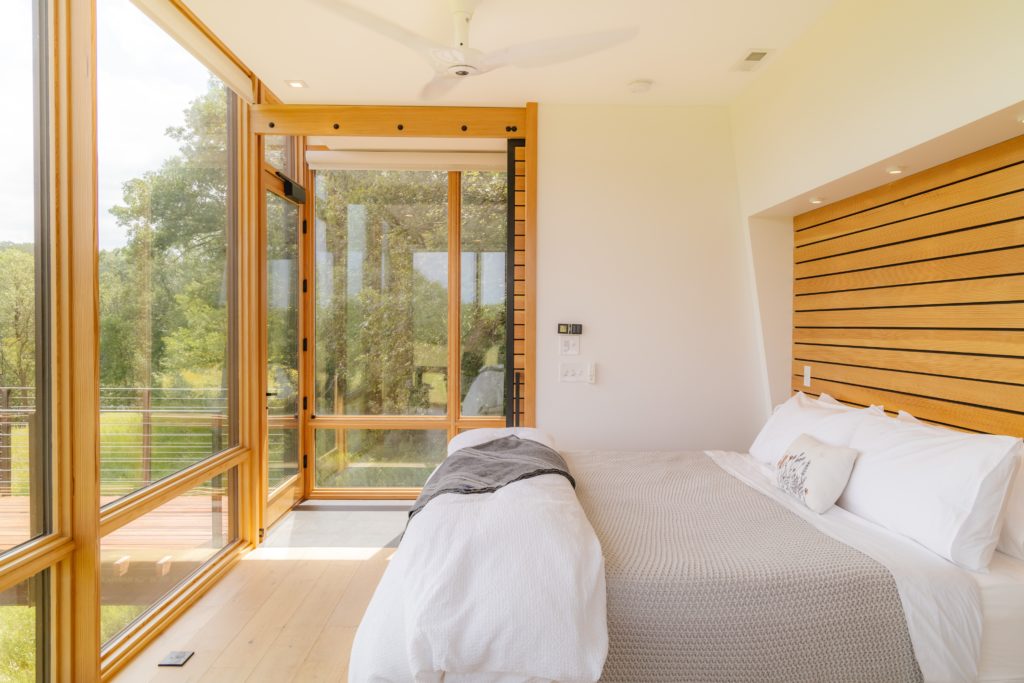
column 945, row 490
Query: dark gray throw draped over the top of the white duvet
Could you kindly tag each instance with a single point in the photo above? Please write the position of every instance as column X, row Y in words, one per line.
column 488, row 467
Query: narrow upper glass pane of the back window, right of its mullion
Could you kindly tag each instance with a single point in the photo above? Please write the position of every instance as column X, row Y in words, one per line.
column 485, row 242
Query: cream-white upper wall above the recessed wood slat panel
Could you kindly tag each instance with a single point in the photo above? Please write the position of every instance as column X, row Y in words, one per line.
column 872, row 79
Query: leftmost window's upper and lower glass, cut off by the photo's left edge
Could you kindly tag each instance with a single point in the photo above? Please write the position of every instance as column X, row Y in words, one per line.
column 26, row 483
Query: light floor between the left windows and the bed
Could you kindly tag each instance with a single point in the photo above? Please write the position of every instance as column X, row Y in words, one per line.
column 289, row 611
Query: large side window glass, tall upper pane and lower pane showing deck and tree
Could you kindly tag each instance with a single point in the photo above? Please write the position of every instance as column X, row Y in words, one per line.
column 167, row 211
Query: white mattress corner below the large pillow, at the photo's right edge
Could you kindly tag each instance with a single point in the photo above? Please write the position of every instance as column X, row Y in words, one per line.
column 1003, row 626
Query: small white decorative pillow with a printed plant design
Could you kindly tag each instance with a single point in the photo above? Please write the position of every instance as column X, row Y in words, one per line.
column 814, row 473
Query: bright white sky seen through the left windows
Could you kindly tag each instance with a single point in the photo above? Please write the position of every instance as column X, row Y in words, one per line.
column 145, row 83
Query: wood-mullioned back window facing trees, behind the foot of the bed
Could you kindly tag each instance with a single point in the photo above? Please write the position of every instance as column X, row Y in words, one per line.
column 410, row 327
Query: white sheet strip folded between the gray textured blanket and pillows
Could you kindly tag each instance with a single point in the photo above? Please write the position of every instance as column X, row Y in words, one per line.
column 943, row 603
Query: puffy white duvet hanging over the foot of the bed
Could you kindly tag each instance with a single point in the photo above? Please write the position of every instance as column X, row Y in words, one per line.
column 505, row 587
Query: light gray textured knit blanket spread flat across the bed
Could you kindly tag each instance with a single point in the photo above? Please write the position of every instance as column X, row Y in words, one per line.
column 710, row 581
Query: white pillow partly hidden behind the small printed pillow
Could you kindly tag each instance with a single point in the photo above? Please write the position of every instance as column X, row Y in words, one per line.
column 831, row 424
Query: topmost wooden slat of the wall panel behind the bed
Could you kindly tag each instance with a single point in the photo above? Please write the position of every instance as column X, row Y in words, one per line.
column 998, row 156
